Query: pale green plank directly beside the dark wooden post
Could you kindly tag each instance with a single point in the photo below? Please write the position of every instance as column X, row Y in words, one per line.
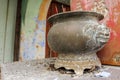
column 10, row 31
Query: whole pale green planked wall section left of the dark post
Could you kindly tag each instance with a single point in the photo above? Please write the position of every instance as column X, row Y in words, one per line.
column 7, row 29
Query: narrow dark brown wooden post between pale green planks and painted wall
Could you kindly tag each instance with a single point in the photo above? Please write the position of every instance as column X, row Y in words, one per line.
column 17, row 31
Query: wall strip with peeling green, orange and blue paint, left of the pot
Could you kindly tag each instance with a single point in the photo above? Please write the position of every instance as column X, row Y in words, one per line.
column 32, row 44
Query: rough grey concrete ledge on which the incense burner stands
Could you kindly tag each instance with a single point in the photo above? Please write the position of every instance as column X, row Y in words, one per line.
column 40, row 70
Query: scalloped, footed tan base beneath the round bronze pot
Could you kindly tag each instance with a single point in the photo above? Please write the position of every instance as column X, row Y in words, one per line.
column 78, row 62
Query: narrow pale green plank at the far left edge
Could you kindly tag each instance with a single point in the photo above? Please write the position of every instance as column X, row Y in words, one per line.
column 3, row 13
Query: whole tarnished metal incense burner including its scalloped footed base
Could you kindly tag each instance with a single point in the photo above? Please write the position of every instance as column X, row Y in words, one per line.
column 76, row 37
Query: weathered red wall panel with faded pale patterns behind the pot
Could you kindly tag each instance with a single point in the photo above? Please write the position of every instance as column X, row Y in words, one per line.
column 110, row 54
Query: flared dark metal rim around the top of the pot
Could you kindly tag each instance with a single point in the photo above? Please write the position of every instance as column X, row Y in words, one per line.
column 54, row 17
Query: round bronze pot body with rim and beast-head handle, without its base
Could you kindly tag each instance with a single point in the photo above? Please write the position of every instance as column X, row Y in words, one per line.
column 77, row 32
